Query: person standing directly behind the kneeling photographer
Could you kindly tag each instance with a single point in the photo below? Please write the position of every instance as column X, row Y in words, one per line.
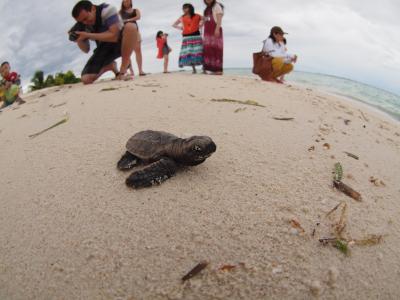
column 132, row 15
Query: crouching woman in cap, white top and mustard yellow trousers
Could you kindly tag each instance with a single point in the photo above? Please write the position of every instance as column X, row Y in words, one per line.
column 282, row 62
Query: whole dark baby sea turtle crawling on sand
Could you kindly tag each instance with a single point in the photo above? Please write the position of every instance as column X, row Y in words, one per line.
column 161, row 154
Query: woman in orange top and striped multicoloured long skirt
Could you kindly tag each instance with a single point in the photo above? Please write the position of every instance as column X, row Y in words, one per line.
column 192, row 43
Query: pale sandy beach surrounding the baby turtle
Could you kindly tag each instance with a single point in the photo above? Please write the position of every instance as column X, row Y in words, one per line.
column 255, row 210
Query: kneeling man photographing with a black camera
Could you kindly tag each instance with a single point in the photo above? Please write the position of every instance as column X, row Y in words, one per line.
column 102, row 24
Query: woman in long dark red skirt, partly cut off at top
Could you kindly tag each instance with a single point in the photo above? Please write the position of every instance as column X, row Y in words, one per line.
column 213, row 37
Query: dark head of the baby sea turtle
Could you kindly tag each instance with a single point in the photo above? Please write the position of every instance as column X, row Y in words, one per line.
column 197, row 149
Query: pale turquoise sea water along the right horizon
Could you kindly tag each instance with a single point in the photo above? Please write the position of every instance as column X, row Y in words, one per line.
column 375, row 97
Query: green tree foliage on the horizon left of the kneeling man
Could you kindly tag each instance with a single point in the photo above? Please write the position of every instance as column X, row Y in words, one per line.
column 61, row 78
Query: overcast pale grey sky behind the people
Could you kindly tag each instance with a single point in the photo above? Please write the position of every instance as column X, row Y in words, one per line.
column 356, row 39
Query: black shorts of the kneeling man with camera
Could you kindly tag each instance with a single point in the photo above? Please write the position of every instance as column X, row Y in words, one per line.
column 103, row 55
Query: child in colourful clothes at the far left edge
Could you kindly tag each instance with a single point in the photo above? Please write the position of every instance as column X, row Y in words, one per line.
column 9, row 86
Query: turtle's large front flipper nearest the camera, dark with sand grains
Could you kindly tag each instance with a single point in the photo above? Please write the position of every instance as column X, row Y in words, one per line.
column 154, row 174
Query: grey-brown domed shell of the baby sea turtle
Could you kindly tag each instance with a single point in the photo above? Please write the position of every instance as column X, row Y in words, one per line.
column 150, row 145
